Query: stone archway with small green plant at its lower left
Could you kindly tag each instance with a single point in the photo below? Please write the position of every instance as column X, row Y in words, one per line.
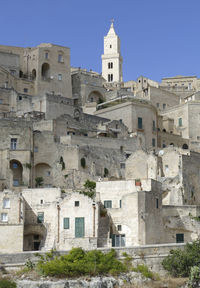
column 43, row 175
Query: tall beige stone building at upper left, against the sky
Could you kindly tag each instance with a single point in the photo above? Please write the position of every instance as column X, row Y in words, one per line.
column 36, row 70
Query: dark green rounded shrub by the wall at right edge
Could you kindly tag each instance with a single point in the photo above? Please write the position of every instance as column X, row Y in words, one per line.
column 179, row 262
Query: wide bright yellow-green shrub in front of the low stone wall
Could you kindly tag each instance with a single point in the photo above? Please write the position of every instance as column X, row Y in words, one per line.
column 78, row 263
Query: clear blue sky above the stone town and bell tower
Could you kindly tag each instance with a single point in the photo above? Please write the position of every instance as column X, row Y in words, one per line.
column 159, row 38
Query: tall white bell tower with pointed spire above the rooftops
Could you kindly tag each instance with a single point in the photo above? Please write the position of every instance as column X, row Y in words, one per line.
column 111, row 59
